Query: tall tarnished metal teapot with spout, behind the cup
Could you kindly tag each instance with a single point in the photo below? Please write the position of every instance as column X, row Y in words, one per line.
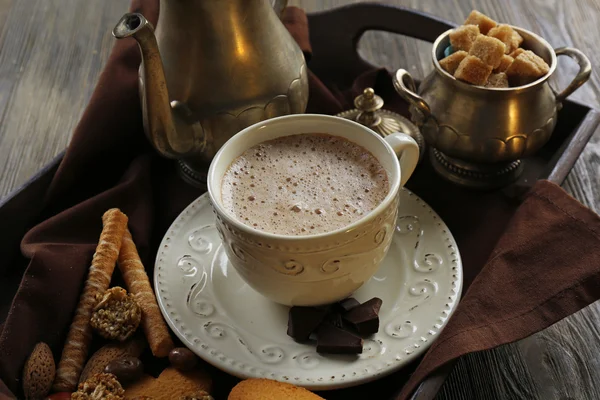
column 213, row 68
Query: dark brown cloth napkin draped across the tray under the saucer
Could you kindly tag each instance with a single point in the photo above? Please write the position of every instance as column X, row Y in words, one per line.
column 544, row 267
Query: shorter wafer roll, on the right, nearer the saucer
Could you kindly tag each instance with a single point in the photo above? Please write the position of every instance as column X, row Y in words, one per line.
column 137, row 283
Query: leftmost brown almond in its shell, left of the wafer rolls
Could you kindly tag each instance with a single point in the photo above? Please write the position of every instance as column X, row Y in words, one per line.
column 38, row 373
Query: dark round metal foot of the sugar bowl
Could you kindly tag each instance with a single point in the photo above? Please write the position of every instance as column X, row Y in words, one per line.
column 474, row 175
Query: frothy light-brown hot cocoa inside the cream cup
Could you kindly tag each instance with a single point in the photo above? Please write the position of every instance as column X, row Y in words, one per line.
column 303, row 184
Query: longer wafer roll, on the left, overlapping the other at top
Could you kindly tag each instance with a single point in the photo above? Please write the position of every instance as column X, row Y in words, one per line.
column 77, row 345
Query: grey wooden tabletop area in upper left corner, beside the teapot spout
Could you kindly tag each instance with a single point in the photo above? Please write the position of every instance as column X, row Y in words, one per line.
column 51, row 53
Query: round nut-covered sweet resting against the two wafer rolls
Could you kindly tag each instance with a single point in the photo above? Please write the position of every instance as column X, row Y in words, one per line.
column 116, row 315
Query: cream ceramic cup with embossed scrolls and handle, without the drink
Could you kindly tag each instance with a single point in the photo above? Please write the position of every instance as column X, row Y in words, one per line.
column 321, row 268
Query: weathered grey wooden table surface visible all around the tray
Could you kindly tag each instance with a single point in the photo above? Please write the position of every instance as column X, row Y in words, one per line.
column 52, row 51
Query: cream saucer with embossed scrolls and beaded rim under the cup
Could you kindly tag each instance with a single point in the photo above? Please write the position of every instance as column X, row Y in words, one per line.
column 231, row 326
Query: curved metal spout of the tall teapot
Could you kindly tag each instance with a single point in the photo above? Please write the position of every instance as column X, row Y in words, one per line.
column 169, row 132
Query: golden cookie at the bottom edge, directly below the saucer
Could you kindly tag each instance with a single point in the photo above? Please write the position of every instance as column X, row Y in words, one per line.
column 266, row 389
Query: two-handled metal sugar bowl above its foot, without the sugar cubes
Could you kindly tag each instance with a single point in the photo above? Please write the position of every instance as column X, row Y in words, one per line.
column 486, row 125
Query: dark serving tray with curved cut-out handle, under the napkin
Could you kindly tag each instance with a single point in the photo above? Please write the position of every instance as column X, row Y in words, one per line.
column 337, row 47
